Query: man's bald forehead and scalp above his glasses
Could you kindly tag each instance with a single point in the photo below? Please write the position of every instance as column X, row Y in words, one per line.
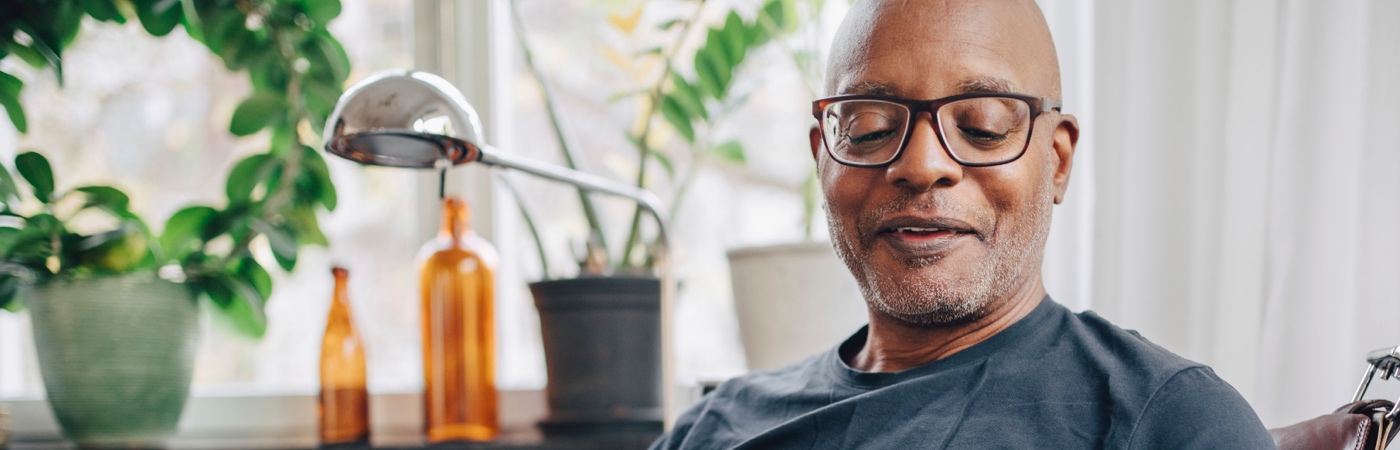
column 965, row 46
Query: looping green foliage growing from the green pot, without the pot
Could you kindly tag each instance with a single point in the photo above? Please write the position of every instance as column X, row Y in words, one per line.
column 297, row 71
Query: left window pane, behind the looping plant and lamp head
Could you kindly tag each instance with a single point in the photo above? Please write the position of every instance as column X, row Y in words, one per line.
column 163, row 137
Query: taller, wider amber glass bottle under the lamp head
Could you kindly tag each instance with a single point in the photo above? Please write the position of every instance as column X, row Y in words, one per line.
column 457, row 273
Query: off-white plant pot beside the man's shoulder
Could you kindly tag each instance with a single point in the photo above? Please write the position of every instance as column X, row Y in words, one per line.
column 793, row 301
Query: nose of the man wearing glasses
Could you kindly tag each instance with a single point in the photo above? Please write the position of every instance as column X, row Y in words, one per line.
column 925, row 165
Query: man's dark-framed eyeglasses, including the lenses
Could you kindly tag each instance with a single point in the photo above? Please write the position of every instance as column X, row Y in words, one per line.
column 976, row 130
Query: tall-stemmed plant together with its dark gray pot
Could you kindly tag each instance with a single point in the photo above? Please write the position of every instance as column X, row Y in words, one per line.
column 600, row 329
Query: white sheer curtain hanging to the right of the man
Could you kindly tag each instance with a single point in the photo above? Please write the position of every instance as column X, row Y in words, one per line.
column 1237, row 191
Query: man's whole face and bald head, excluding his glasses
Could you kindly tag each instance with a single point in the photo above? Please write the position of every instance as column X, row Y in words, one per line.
column 929, row 240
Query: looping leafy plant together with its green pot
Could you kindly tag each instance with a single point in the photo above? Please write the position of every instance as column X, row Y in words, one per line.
column 114, row 302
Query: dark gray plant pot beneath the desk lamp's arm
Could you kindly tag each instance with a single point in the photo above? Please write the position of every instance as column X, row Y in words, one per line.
column 603, row 353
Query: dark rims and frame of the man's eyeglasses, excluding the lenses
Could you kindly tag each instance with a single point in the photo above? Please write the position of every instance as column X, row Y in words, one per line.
column 1038, row 106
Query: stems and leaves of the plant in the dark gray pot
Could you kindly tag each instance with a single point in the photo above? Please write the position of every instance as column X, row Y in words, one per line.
column 691, row 106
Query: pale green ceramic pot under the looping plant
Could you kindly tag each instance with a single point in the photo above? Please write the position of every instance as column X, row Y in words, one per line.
column 117, row 357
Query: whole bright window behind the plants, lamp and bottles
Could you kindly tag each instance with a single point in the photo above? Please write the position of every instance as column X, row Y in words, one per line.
column 163, row 135
